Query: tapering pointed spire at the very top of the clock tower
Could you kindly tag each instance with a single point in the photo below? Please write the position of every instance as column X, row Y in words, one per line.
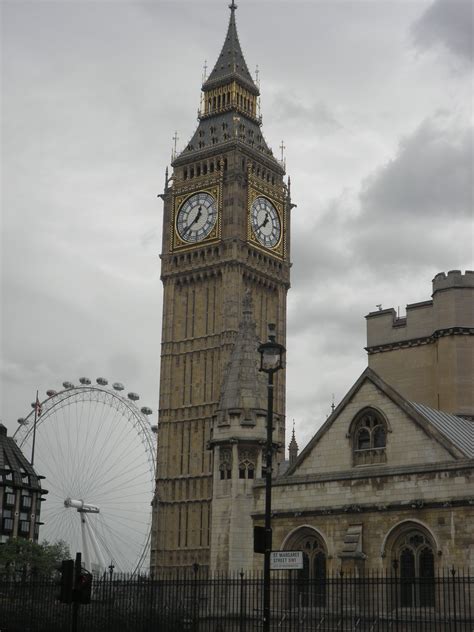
column 231, row 63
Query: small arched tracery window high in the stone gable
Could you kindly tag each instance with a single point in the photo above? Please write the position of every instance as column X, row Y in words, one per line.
column 368, row 432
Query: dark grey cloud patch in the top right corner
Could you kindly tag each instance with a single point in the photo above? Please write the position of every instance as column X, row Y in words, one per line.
column 448, row 23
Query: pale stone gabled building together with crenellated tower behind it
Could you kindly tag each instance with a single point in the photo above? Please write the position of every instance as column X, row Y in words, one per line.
column 388, row 478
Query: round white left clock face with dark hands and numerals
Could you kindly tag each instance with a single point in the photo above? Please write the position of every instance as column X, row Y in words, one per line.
column 196, row 217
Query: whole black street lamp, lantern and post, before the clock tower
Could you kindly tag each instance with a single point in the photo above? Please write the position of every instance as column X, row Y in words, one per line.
column 271, row 361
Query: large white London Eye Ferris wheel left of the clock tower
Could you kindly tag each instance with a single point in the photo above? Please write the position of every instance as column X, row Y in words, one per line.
column 96, row 450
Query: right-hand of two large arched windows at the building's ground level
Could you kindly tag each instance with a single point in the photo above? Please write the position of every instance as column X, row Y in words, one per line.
column 413, row 557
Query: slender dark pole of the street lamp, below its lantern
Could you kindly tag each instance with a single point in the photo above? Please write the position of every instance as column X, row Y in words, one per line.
column 268, row 507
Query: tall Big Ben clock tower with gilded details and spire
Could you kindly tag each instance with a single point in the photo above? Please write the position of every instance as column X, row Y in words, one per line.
column 226, row 232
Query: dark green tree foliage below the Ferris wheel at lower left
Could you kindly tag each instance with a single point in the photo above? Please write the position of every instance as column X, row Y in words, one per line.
column 24, row 558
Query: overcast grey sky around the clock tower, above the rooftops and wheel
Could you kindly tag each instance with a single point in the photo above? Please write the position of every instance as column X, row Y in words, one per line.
column 374, row 103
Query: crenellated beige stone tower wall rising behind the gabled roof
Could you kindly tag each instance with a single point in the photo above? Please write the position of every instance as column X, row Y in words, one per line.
column 428, row 355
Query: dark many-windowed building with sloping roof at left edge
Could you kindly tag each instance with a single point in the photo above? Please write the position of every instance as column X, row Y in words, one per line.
column 20, row 492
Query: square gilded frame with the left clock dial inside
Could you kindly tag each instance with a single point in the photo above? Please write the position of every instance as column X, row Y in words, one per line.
column 196, row 217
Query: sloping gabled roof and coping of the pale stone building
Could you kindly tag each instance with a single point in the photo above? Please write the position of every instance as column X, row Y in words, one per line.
column 448, row 430
